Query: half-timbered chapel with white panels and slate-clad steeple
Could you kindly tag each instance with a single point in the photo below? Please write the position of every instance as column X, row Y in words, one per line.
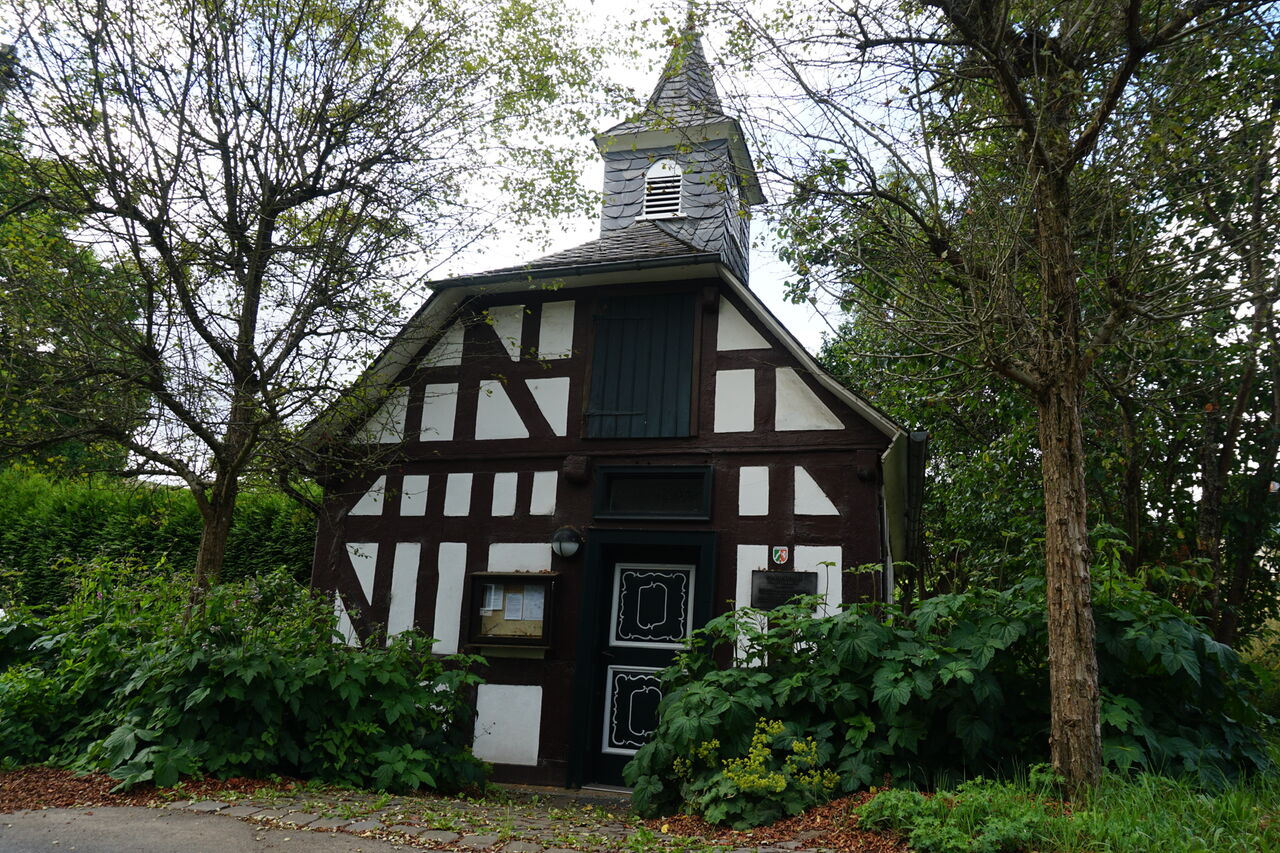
column 591, row 455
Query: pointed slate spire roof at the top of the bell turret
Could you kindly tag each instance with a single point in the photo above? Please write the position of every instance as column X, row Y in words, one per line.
column 685, row 95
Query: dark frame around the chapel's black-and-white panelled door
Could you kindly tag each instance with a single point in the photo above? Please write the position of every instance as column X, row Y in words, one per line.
column 597, row 580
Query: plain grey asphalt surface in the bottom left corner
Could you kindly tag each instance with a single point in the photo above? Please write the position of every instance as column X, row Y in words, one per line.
column 162, row 831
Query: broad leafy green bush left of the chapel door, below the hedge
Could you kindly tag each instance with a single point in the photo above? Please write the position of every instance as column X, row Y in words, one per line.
column 254, row 685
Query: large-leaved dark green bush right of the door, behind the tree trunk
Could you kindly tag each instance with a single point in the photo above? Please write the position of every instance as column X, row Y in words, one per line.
column 957, row 687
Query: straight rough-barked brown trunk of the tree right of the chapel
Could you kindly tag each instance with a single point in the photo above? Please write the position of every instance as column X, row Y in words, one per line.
column 1076, row 736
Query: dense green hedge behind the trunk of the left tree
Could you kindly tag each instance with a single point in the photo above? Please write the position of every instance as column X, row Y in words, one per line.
column 49, row 528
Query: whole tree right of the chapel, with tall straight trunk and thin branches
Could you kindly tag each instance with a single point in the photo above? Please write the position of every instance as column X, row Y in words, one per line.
column 970, row 176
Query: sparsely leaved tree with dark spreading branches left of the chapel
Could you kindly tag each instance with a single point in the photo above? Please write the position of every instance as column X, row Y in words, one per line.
column 277, row 176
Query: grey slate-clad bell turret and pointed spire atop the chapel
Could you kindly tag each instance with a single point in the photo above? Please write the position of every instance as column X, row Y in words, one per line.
column 684, row 122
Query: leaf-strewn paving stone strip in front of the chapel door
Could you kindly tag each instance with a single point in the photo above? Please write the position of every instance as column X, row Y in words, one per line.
column 532, row 824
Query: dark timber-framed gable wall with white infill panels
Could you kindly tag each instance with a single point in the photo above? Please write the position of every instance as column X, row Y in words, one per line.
column 397, row 544
